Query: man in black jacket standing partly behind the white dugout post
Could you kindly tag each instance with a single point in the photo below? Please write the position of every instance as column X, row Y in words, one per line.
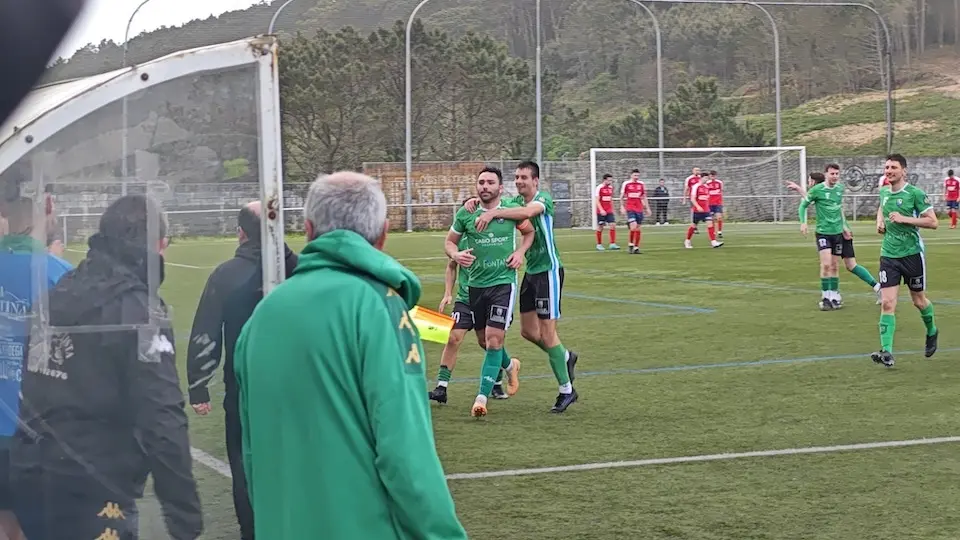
column 232, row 292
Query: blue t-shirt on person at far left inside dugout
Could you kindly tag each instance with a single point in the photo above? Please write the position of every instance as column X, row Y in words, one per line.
column 17, row 254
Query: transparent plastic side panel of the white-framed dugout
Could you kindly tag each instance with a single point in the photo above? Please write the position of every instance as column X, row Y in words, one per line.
column 110, row 230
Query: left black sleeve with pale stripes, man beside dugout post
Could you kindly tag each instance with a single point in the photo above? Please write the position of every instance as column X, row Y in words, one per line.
column 206, row 341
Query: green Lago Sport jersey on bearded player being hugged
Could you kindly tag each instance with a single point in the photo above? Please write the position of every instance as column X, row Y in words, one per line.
column 491, row 247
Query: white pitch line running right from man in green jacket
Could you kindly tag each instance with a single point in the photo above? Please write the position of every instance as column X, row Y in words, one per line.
column 703, row 458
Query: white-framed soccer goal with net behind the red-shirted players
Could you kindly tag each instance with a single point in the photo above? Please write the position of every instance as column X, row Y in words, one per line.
column 754, row 178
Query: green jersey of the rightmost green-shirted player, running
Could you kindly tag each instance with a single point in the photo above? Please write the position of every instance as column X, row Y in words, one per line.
column 902, row 240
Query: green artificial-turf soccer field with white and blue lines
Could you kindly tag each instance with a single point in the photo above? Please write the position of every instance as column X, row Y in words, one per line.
column 683, row 353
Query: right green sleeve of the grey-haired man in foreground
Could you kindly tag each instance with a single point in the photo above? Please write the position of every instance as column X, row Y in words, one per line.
column 393, row 380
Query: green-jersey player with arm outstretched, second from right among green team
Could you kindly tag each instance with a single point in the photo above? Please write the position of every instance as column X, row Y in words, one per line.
column 834, row 237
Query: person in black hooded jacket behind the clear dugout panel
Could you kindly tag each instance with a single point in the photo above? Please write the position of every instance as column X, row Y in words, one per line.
column 101, row 402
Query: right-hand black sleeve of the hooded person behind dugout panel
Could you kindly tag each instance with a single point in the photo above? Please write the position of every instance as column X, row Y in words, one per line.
column 157, row 404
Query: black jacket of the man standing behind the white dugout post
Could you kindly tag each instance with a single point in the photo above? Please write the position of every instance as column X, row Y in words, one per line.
column 232, row 292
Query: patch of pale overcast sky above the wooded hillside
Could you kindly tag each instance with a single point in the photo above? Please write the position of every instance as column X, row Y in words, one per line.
column 107, row 19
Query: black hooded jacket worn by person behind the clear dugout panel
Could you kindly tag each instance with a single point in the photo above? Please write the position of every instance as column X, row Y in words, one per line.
column 104, row 406
